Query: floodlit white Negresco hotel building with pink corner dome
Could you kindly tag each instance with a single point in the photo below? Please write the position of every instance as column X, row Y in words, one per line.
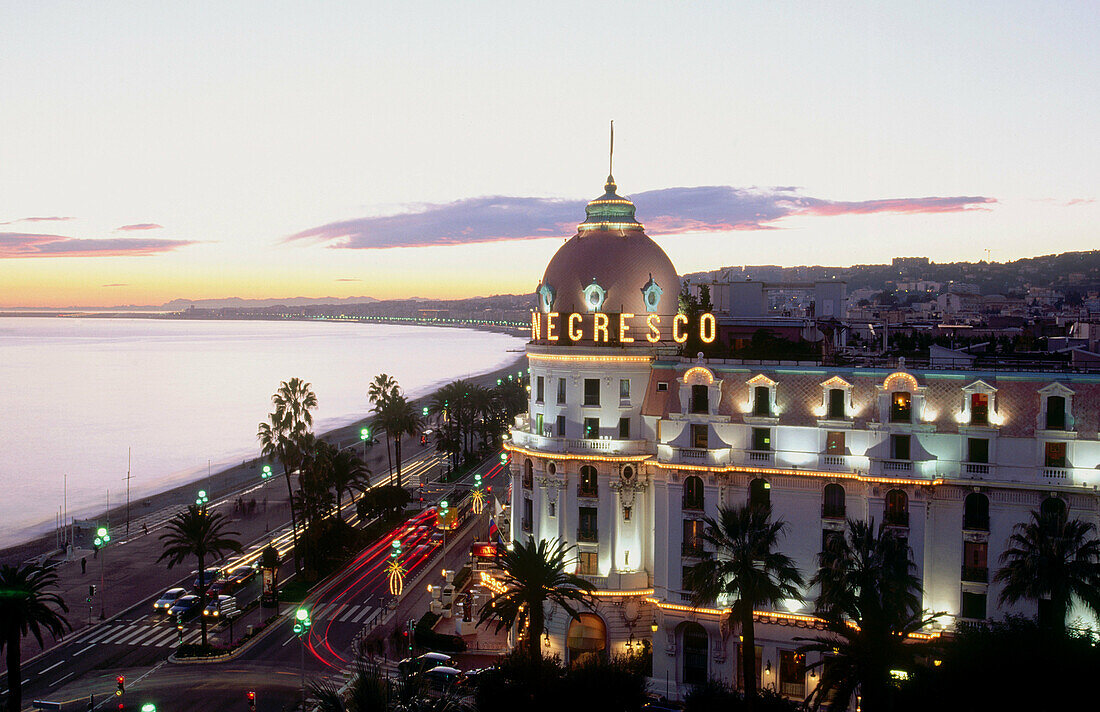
column 630, row 445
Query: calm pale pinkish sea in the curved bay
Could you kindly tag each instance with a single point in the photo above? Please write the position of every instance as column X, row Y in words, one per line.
column 86, row 401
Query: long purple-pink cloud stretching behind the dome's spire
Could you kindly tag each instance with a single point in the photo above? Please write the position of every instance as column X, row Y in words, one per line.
column 665, row 212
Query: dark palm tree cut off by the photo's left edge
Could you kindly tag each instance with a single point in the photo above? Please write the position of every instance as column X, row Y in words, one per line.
column 27, row 607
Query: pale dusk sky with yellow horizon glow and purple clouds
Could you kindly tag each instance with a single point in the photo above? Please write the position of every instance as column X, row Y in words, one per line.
column 157, row 151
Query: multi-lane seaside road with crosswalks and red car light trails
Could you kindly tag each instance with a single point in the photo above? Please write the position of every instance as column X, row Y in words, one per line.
column 137, row 644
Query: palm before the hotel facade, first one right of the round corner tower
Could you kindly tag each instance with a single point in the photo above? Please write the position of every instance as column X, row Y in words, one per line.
column 747, row 571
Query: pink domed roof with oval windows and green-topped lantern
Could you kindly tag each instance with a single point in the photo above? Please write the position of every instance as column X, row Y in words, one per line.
column 610, row 266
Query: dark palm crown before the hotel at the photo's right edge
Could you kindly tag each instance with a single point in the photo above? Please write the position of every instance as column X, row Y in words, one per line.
column 1052, row 561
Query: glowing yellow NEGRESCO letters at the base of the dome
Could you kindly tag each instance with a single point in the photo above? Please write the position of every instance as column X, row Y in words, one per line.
column 599, row 327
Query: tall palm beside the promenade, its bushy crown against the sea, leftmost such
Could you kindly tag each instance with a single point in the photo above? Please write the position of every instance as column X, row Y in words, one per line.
column 284, row 434
